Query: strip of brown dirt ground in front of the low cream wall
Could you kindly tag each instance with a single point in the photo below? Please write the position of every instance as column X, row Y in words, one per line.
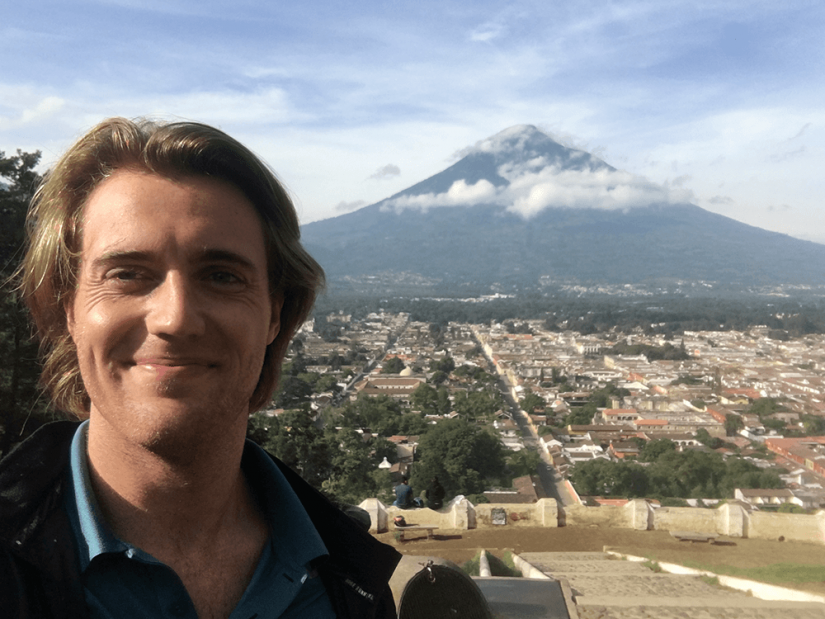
column 459, row 546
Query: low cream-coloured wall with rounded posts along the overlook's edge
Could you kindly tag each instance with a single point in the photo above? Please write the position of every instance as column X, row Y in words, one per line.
column 729, row 519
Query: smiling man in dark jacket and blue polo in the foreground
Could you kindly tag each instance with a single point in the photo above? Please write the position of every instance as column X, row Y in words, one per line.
column 166, row 278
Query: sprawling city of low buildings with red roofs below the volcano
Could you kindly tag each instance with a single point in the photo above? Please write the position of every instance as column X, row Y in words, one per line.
column 741, row 395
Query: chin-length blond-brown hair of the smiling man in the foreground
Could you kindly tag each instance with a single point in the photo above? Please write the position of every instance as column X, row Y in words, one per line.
column 48, row 273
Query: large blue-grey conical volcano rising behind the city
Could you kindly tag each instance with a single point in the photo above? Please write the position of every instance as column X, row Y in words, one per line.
column 486, row 243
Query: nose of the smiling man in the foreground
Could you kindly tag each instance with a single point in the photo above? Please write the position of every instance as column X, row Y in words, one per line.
column 175, row 307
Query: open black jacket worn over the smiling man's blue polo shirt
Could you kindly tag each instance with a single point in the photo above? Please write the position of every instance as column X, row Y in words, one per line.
column 40, row 570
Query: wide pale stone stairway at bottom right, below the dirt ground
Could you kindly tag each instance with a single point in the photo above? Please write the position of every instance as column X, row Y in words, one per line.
column 607, row 588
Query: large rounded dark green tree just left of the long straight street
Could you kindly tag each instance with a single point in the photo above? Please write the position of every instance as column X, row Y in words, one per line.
column 462, row 456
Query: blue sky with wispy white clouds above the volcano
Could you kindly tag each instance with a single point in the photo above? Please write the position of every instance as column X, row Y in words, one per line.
column 350, row 103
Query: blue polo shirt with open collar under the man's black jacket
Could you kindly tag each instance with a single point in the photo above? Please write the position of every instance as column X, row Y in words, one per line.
column 120, row 580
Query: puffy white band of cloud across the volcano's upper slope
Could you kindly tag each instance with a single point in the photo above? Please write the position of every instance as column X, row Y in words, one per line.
column 532, row 189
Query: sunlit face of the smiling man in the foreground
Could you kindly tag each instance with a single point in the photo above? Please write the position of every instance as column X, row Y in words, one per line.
column 172, row 313
